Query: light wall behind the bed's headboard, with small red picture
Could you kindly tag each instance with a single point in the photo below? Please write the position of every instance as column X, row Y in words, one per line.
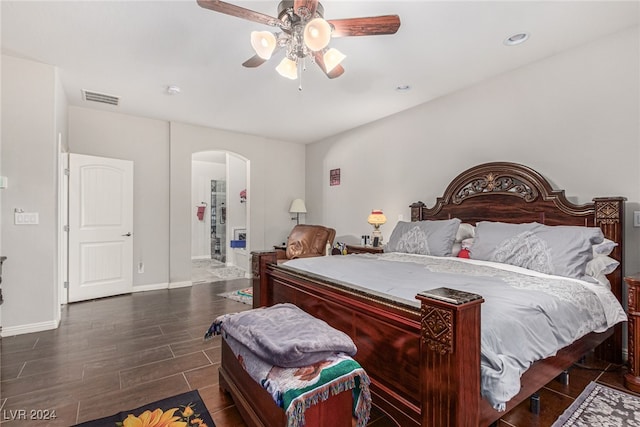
column 574, row 117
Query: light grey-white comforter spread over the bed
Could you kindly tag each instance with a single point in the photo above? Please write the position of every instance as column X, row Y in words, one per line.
column 526, row 315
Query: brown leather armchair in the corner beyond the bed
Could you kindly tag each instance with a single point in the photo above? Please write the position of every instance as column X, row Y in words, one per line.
column 307, row 240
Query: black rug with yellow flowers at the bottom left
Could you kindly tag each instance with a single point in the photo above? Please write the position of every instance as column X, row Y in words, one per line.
column 183, row 410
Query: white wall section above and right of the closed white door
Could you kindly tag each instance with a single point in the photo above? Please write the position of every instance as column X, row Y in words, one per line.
column 146, row 143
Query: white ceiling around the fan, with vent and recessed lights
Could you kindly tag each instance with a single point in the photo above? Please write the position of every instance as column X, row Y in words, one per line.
column 135, row 49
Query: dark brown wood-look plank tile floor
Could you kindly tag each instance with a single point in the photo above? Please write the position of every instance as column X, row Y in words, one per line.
column 122, row 352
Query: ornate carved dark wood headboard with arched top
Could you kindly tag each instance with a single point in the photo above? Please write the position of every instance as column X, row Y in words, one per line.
column 510, row 192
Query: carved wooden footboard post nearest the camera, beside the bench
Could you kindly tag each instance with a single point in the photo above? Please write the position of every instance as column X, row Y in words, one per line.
column 450, row 357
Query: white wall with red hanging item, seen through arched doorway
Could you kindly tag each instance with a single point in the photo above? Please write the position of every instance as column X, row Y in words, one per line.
column 201, row 175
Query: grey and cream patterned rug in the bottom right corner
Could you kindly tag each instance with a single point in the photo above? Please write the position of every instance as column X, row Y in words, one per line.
column 599, row 405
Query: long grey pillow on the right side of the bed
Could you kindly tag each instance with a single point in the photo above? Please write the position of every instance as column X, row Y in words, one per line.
column 560, row 250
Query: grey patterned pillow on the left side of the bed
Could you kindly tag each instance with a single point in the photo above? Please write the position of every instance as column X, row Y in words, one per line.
column 424, row 237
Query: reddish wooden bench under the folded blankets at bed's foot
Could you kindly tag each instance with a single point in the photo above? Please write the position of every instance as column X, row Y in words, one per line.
column 257, row 408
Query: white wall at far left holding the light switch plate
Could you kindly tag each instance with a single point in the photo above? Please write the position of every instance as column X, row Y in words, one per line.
column 32, row 116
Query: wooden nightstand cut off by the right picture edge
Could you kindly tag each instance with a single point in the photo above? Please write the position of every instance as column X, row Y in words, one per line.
column 632, row 377
